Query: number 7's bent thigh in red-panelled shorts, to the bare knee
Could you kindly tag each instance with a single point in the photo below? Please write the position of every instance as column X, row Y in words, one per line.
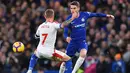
column 60, row 56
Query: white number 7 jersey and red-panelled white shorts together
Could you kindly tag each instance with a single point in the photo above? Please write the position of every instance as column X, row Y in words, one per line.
column 47, row 32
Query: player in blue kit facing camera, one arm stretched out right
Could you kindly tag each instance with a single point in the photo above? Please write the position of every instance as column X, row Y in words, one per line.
column 77, row 39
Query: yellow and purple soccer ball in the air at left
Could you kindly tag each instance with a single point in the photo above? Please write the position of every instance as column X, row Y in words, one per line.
column 18, row 47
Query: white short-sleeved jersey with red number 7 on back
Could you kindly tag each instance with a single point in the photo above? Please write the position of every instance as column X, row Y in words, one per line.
column 47, row 32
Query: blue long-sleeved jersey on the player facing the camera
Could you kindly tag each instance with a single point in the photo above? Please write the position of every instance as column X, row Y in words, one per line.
column 78, row 25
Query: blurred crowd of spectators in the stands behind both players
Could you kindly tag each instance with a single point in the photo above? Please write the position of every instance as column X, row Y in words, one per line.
column 109, row 40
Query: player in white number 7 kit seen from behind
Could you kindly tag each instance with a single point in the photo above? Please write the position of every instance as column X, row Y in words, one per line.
column 47, row 32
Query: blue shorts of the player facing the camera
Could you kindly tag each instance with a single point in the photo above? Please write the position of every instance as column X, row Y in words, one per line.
column 76, row 46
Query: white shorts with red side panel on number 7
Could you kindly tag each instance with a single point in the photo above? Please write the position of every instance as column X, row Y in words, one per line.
column 49, row 53
